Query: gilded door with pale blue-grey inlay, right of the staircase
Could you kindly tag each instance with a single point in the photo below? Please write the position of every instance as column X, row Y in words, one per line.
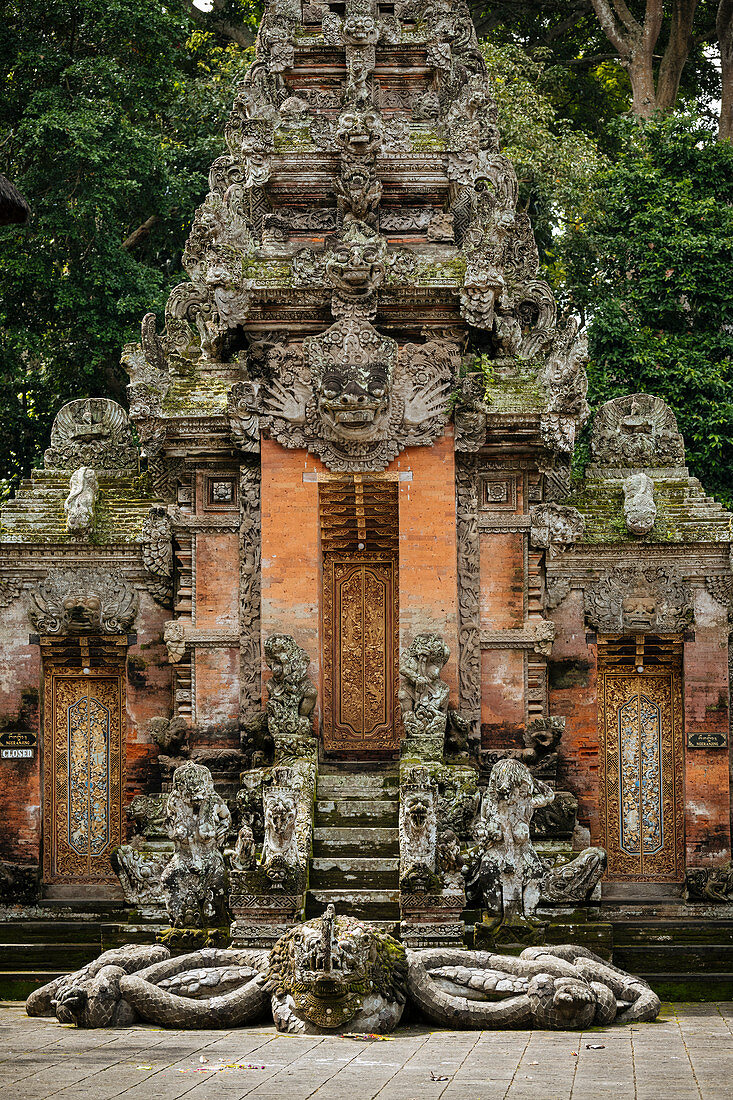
column 641, row 784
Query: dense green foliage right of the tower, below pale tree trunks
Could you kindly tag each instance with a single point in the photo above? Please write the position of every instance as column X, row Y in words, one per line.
column 651, row 269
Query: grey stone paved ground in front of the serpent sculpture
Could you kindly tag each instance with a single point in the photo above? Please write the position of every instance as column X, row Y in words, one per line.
column 686, row 1055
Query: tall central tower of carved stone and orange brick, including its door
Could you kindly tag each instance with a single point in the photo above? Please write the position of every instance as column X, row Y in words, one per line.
column 315, row 410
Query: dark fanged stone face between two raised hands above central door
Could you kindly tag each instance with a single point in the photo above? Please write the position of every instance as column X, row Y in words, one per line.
column 354, row 401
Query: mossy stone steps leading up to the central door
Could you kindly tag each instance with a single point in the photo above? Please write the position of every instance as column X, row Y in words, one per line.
column 356, row 853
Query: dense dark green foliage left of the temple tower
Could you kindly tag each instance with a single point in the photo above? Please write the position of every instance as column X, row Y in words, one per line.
column 112, row 113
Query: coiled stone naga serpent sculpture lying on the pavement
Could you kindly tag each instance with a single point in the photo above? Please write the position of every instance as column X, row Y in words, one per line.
column 334, row 973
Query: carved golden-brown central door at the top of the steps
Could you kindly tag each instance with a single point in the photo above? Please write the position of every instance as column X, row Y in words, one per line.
column 360, row 651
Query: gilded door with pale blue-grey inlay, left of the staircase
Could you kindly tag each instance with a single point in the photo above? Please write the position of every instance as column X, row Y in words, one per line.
column 83, row 777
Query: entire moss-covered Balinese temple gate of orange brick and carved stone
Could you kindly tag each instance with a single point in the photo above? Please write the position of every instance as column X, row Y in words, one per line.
column 333, row 557
